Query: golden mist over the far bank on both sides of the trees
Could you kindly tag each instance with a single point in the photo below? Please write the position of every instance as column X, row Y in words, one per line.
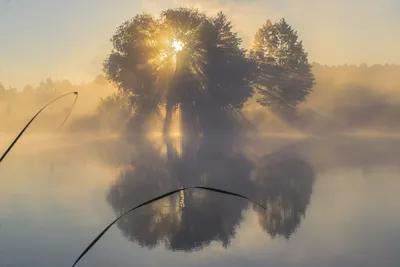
column 344, row 99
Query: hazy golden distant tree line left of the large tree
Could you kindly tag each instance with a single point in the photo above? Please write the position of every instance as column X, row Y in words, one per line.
column 17, row 106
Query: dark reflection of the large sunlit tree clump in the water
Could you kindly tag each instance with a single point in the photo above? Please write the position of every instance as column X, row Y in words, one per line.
column 189, row 221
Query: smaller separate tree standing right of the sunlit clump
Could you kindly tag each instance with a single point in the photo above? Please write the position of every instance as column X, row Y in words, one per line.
column 283, row 76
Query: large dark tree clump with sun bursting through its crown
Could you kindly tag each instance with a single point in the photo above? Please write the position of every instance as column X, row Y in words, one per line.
column 183, row 58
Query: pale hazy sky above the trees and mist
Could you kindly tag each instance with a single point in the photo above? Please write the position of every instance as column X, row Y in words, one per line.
column 70, row 38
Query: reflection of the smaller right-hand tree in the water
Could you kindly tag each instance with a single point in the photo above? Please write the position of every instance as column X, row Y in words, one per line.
column 284, row 186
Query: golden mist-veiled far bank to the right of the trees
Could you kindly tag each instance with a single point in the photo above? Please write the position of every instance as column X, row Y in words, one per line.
column 345, row 99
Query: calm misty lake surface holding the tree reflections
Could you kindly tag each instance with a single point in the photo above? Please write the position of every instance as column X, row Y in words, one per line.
column 331, row 202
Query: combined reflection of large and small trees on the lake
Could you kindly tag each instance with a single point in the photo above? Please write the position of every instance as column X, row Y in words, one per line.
column 190, row 221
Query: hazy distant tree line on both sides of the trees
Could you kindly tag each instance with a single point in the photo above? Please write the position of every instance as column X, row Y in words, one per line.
column 333, row 83
